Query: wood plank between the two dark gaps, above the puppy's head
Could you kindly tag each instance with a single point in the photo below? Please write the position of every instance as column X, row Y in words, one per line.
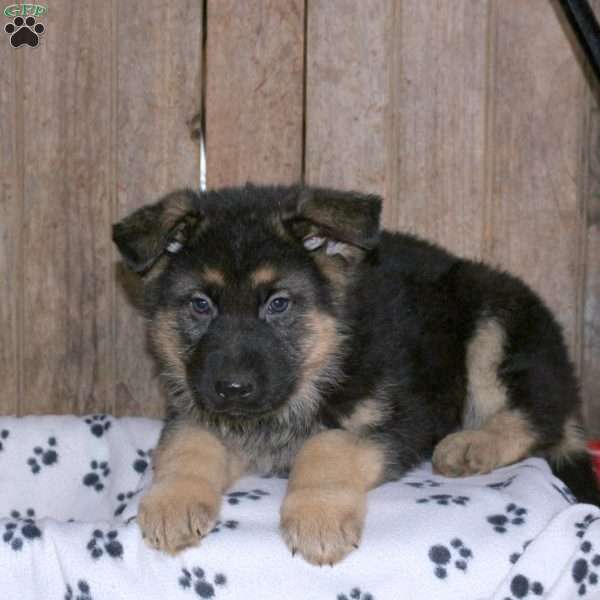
column 254, row 91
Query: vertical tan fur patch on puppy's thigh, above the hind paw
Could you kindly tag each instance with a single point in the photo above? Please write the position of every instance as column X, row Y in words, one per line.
column 486, row 394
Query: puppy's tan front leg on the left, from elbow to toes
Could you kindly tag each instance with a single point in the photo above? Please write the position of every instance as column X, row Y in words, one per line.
column 192, row 469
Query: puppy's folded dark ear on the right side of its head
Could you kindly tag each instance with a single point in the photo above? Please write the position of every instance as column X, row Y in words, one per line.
column 334, row 222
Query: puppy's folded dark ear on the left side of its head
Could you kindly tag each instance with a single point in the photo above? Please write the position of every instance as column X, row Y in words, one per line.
column 153, row 230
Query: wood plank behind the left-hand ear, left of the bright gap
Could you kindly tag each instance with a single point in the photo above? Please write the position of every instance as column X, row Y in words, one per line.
column 158, row 78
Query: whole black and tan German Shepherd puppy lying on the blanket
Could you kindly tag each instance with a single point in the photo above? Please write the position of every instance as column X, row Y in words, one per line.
column 296, row 337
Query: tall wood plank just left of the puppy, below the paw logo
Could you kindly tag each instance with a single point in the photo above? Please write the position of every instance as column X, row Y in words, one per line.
column 66, row 300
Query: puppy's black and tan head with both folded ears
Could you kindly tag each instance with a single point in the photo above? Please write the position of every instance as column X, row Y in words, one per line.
column 244, row 291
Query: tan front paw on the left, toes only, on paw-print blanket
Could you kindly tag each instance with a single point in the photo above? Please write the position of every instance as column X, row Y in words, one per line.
column 176, row 513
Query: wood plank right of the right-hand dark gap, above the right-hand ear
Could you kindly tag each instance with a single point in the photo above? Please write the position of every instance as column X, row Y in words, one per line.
column 348, row 58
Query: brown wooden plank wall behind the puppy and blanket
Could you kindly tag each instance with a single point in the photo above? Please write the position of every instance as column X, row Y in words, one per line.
column 473, row 118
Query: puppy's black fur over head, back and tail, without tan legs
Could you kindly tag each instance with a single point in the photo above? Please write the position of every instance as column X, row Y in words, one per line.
column 404, row 311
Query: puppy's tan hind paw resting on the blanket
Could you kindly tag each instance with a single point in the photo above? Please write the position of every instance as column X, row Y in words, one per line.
column 466, row 453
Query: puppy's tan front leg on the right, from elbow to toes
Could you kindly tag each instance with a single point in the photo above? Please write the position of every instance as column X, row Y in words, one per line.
column 323, row 513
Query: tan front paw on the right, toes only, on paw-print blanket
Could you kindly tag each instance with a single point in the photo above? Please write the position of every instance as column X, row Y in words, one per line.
column 324, row 525
